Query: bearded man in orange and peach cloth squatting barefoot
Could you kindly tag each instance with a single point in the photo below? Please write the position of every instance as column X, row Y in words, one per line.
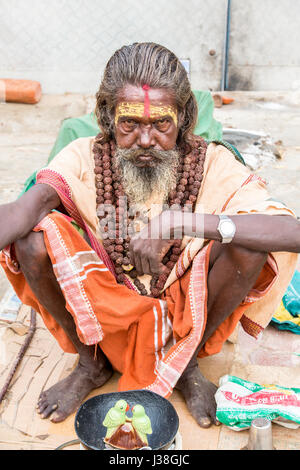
column 178, row 242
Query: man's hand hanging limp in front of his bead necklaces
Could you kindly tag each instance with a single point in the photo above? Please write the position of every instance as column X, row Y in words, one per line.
column 149, row 246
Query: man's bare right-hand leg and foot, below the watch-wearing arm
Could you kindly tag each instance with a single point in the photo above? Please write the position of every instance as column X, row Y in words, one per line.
column 232, row 273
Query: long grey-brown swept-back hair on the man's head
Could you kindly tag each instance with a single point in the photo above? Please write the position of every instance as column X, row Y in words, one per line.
column 140, row 64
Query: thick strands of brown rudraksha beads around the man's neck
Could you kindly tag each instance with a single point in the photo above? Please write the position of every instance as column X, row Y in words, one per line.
column 113, row 209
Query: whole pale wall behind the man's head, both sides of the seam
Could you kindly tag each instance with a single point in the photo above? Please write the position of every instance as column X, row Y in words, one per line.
column 65, row 44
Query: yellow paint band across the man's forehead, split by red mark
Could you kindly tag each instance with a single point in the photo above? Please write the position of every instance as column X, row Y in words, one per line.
column 138, row 110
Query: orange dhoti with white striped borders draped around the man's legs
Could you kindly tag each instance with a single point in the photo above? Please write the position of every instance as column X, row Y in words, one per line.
column 149, row 341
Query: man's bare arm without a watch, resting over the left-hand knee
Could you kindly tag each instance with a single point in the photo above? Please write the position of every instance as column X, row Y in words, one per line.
column 18, row 218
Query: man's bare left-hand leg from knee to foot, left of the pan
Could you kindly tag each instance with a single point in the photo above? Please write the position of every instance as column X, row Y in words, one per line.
column 91, row 372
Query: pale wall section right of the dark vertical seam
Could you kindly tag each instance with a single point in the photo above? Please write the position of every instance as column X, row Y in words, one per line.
column 264, row 45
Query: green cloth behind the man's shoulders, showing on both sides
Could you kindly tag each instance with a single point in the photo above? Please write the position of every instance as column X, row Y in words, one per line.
column 86, row 126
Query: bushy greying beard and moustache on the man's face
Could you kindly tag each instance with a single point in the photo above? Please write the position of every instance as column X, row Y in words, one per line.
column 140, row 183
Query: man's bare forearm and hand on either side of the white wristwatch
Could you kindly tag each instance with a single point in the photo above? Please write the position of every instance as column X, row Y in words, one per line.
column 257, row 232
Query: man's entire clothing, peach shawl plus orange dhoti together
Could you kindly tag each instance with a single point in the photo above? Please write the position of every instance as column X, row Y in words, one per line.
column 149, row 341
